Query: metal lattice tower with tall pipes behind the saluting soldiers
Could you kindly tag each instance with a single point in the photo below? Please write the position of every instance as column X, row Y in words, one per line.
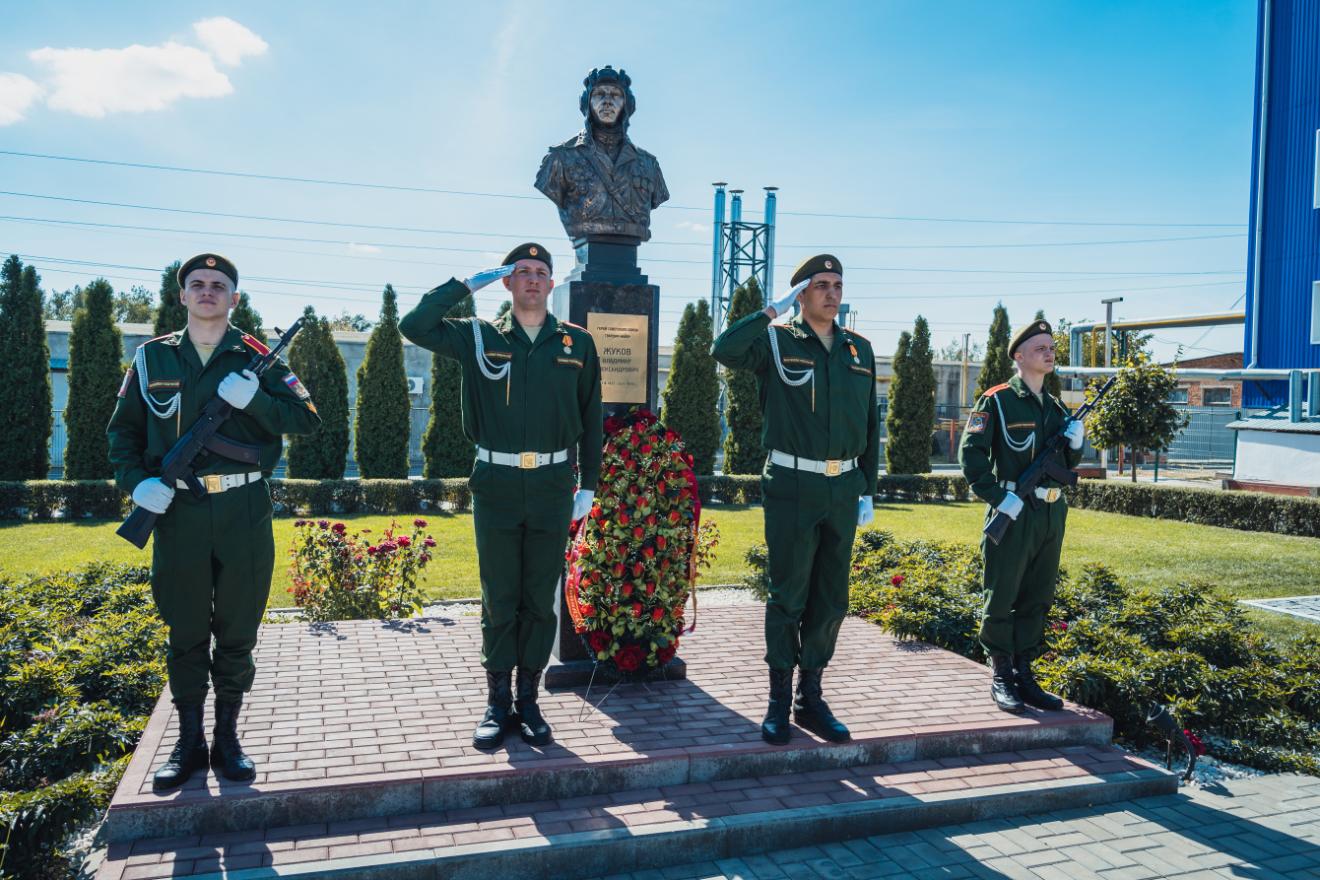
column 741, row 251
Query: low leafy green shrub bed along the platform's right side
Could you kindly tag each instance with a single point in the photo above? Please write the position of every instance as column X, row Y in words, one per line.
column 1115, row 647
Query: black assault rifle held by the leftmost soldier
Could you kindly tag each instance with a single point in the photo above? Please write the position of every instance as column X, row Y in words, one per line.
column 204, row 435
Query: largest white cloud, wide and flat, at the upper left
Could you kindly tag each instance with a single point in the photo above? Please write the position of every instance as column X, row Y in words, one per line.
column 94, row 82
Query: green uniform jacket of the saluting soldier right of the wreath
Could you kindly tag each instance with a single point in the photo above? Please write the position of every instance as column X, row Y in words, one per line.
column 838, row 420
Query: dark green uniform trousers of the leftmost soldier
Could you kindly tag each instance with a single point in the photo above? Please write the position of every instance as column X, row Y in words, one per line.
column 212, row 565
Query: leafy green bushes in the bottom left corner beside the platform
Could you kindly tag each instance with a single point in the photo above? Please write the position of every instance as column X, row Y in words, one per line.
column 82, row 660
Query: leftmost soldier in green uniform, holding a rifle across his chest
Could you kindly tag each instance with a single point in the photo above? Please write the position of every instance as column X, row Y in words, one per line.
column 212, row 557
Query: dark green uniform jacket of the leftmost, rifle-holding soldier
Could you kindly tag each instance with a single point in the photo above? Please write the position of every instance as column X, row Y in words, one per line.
column 139, row 439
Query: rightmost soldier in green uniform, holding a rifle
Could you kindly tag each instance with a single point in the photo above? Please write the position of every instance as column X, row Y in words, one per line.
column 1004, row 432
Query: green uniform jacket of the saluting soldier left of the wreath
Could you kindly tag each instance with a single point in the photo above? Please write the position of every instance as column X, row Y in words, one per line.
column 551, row 399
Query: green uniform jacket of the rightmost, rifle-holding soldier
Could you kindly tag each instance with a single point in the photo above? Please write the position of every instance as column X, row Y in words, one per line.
column 1004, row 432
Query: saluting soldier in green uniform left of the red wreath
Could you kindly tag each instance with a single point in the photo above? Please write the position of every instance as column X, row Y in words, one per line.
column 531, row 395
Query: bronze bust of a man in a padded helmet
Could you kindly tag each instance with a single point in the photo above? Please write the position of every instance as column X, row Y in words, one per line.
column 604, row 187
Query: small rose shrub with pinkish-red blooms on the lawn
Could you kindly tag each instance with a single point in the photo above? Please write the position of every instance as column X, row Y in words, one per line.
column 343, row 577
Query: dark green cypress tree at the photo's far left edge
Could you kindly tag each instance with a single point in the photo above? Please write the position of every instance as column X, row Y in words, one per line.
column 26, row 393
